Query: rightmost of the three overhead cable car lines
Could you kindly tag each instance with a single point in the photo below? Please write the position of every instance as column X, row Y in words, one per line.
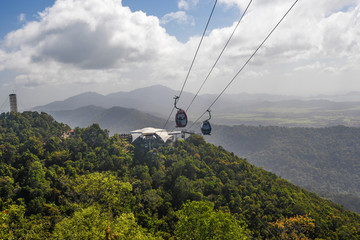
column 252, row 55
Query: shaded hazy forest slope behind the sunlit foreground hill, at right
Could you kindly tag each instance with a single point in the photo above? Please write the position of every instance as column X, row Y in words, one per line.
column 325, row 160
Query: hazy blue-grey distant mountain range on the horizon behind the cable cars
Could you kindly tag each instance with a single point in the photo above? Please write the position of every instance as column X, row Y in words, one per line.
column 157, row 100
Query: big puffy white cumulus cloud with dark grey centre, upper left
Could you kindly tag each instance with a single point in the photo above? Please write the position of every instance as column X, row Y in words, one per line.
column 91, row 34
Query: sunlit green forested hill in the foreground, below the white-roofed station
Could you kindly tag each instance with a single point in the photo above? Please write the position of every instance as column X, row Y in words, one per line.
column 92, row 186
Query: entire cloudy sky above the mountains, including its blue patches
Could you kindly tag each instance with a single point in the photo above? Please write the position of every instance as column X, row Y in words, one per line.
column 54, row 49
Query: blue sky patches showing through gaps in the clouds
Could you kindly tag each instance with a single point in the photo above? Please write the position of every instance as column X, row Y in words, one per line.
column 11, row 12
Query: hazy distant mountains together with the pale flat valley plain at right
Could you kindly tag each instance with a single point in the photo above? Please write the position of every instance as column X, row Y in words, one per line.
column 231, row 109
